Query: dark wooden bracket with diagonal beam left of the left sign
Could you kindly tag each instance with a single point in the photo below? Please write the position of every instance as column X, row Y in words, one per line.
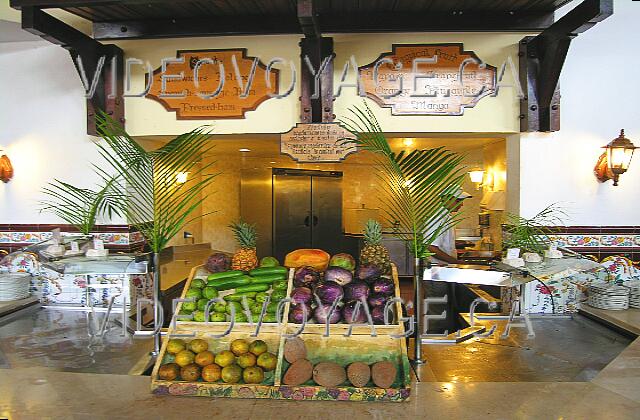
column 90, row 51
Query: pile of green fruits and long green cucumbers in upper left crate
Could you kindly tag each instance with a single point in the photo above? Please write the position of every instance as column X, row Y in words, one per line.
column 237, row 294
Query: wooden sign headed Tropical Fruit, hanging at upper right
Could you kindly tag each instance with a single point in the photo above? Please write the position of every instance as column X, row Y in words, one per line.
column 428, row 79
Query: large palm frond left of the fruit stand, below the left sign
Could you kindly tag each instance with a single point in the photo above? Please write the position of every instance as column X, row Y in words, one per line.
column 150, row 195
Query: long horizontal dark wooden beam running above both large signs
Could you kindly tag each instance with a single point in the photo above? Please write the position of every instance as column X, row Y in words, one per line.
column 378, row 22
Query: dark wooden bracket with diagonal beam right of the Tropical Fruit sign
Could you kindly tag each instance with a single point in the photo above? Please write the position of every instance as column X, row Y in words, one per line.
column 542, row 58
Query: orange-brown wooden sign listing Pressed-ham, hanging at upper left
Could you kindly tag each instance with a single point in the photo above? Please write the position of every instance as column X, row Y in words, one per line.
column 242, row 88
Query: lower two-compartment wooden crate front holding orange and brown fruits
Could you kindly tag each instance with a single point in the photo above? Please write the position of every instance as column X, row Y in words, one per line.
column 341, row 350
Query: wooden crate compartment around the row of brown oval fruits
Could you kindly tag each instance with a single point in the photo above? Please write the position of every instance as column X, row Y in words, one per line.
column 346, row 350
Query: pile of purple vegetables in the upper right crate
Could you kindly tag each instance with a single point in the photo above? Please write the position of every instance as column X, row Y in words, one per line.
column 314, row 293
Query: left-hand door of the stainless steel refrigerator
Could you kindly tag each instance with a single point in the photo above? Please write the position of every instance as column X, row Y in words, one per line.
column 291, row 213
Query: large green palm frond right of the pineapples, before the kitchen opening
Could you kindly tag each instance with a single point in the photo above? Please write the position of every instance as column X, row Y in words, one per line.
column 414, row 182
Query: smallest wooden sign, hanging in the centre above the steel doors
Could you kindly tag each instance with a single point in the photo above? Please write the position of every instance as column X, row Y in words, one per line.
column 322, row 142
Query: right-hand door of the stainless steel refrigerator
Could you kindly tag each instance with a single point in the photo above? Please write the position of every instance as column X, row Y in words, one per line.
column 326, row 213
